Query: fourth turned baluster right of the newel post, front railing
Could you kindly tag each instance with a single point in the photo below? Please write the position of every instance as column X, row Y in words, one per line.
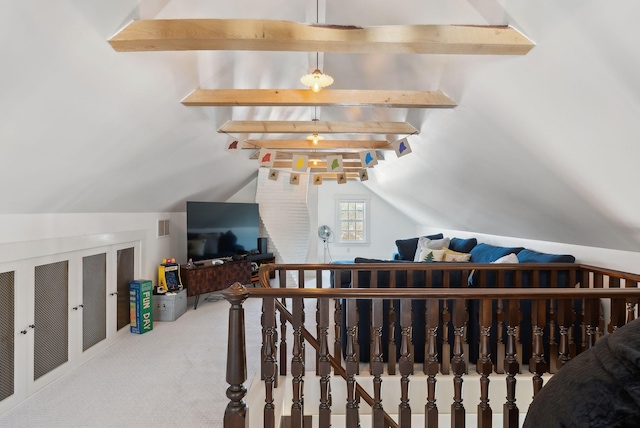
column 351, row 364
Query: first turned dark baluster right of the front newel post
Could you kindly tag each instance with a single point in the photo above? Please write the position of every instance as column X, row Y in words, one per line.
column 269, row 360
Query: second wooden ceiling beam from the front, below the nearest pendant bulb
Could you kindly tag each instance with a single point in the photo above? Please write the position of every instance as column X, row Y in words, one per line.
column 327, row 97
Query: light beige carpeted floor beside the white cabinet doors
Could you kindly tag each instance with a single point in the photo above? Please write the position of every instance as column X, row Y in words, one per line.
column 173, row 376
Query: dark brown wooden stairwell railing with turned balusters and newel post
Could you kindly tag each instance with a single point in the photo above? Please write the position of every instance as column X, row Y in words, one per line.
column 552, row 311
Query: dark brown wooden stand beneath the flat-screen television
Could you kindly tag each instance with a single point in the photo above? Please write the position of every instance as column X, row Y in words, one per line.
column 208, row 278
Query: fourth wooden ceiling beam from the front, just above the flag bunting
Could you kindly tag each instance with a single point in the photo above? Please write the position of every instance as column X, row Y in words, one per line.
column 322, row 145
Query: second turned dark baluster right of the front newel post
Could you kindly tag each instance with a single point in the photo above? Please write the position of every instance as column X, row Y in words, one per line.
column 297, row 366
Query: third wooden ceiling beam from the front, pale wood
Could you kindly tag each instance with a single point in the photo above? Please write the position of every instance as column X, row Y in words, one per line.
column 319, row 127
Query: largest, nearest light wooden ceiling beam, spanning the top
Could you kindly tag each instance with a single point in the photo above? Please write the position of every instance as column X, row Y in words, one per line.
column 274, row 35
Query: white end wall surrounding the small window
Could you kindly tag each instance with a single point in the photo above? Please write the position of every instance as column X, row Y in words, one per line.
column 386, row 223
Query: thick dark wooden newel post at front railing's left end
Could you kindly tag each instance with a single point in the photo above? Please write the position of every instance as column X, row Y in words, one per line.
column 236, row 412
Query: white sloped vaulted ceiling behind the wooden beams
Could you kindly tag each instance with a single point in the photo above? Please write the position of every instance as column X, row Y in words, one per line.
column 542, row 146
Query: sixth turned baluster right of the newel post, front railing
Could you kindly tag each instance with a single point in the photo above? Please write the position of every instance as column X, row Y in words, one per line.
column 405, row 364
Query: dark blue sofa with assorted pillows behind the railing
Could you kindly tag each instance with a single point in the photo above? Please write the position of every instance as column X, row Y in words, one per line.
column 458, row 250
